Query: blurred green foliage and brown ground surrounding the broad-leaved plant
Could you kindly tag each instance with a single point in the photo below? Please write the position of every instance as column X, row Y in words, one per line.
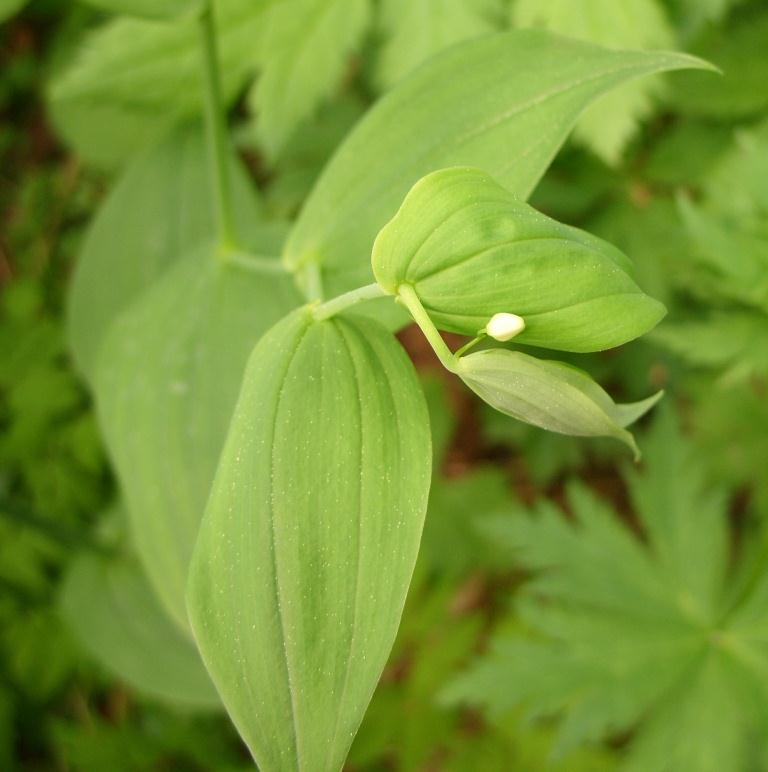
column 568, row 612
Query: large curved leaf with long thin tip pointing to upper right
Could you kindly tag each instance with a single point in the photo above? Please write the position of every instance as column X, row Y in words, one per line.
column 503, row 103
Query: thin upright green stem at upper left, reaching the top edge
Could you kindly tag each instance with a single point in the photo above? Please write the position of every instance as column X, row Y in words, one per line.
column 216, row 126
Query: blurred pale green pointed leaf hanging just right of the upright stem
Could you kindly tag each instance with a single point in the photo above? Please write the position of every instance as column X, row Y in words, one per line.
column 304, row 47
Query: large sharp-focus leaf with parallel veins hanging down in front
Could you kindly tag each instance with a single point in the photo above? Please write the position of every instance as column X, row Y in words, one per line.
column 310, row 536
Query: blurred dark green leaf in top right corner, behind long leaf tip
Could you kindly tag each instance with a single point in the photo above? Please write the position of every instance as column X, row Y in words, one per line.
column 738, row 49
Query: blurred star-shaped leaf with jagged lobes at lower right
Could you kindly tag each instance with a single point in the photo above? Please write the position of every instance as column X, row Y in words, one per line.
column 635, row 636
